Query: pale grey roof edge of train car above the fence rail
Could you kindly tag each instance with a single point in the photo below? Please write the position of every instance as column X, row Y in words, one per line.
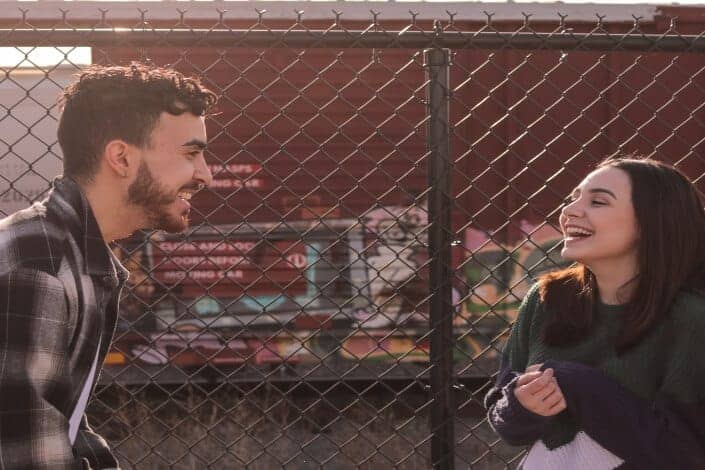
column 86, row 10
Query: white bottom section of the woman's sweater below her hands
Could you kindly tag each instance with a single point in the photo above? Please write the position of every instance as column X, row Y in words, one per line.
column 582, row 453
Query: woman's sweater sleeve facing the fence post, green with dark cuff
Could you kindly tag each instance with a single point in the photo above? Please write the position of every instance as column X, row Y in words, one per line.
column 515, row 424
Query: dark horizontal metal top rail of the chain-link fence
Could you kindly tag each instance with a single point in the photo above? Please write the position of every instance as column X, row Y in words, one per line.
column 342, row 39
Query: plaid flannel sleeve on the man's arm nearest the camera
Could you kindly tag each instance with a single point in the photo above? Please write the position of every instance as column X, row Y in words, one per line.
column 34, row 339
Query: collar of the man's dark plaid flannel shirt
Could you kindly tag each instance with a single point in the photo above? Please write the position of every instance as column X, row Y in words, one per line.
column 99, row 258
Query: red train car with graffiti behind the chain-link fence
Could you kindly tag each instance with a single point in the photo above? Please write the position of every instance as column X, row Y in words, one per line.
column 311, row 242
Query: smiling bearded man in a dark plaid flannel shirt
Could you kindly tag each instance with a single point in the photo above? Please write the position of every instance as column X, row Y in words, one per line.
column 133, row 140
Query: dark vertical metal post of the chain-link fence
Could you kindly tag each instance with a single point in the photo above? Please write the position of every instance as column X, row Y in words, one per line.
column 441, row 303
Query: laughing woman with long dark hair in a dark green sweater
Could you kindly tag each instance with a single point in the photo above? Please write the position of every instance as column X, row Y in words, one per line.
column 605, row 365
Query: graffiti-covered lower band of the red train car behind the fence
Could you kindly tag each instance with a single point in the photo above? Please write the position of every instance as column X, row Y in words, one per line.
column 241, row 322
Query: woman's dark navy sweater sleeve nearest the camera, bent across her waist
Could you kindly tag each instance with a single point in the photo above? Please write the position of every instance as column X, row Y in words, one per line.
column 644, row 434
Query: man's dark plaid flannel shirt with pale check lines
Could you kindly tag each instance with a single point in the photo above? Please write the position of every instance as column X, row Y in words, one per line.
column 59, row 291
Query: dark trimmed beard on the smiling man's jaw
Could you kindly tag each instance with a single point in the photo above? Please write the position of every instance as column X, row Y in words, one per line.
column 147, row 193
